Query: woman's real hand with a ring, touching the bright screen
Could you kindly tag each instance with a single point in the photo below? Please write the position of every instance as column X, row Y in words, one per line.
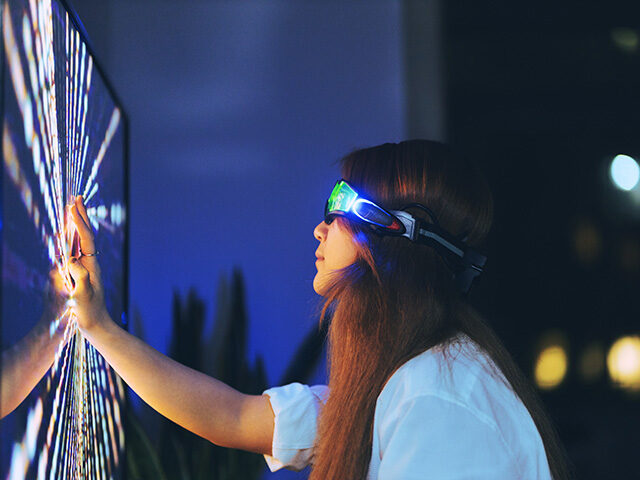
column 88, row 294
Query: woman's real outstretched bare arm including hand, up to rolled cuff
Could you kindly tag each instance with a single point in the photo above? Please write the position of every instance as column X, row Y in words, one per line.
column 193, row 400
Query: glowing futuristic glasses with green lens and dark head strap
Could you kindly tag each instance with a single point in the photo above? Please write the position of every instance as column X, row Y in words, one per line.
column 465, row 262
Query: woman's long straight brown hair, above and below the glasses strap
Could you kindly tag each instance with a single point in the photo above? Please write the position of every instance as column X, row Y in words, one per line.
column 398, row 299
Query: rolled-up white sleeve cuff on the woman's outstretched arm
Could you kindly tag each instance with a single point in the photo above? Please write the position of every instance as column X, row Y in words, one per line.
column 296, row 408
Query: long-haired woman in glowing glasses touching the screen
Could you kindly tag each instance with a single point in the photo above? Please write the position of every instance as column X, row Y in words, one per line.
column 419, row 386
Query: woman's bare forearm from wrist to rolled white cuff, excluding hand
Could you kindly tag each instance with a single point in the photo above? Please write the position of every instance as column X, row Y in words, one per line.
column 195, row 401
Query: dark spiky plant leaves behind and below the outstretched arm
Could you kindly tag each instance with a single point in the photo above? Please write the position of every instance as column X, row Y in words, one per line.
column 182, row 455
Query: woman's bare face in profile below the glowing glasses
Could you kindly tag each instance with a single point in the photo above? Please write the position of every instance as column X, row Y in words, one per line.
column 336, row 250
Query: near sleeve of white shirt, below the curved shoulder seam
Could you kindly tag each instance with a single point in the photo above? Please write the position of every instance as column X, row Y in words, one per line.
column 432, row 437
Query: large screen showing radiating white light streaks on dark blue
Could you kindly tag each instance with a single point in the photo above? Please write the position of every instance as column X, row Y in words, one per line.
column 62, row 136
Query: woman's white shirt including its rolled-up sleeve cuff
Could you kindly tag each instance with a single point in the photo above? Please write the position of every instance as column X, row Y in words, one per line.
column 438, row 417
